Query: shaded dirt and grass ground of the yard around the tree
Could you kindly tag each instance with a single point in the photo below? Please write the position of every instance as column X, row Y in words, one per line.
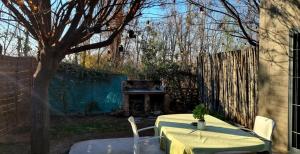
column 65, row 131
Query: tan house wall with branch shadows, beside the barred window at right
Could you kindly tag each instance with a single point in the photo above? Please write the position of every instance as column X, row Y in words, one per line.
column 277, row 18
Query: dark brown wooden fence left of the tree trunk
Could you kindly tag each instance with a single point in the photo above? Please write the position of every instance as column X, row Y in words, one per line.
column 15, row 92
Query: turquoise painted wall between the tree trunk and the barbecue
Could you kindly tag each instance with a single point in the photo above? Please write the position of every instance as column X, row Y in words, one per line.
column 73, row 96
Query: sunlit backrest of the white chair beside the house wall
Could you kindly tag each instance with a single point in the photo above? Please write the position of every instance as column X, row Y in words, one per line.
column 264, row 127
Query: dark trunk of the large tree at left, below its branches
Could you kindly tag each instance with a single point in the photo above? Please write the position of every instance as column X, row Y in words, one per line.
column 47, row 65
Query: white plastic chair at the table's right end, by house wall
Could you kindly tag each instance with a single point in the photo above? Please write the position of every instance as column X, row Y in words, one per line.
column 263, row 129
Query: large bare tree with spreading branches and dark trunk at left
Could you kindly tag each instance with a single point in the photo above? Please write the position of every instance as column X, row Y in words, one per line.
column 59, row 26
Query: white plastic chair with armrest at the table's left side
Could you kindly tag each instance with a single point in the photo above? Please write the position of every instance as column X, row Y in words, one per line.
column 144, row 145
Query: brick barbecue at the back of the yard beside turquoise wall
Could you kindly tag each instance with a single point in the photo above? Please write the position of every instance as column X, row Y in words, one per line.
column 144, row 97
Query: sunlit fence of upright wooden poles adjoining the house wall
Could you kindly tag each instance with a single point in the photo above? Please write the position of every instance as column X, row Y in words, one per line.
column 228, row 84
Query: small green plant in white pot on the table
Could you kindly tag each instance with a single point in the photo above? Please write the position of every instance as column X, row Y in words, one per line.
column 198, row 113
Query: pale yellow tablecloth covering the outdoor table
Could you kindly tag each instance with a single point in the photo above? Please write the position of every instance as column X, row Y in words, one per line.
column 180, row 137
